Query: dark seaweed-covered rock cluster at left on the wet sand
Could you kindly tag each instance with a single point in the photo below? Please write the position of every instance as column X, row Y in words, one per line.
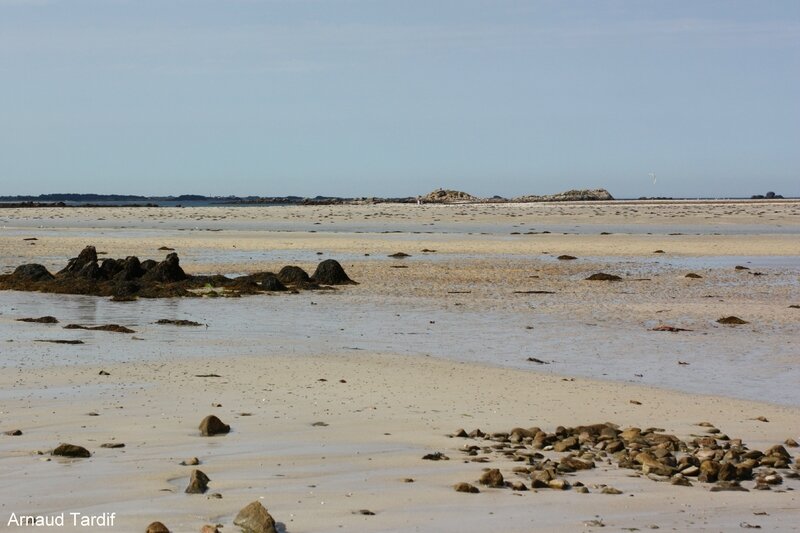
column 129, row 278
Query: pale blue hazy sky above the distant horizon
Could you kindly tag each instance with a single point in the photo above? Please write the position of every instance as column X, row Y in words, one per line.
column 397, row 98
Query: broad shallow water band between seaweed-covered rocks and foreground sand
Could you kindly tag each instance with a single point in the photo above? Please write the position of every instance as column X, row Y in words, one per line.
column 722, row 361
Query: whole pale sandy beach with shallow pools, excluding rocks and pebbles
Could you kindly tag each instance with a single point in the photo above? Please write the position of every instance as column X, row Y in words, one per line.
column 334, row 397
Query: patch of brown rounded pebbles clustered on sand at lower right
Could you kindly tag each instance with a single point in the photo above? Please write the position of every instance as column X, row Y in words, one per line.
column 712, row 458
